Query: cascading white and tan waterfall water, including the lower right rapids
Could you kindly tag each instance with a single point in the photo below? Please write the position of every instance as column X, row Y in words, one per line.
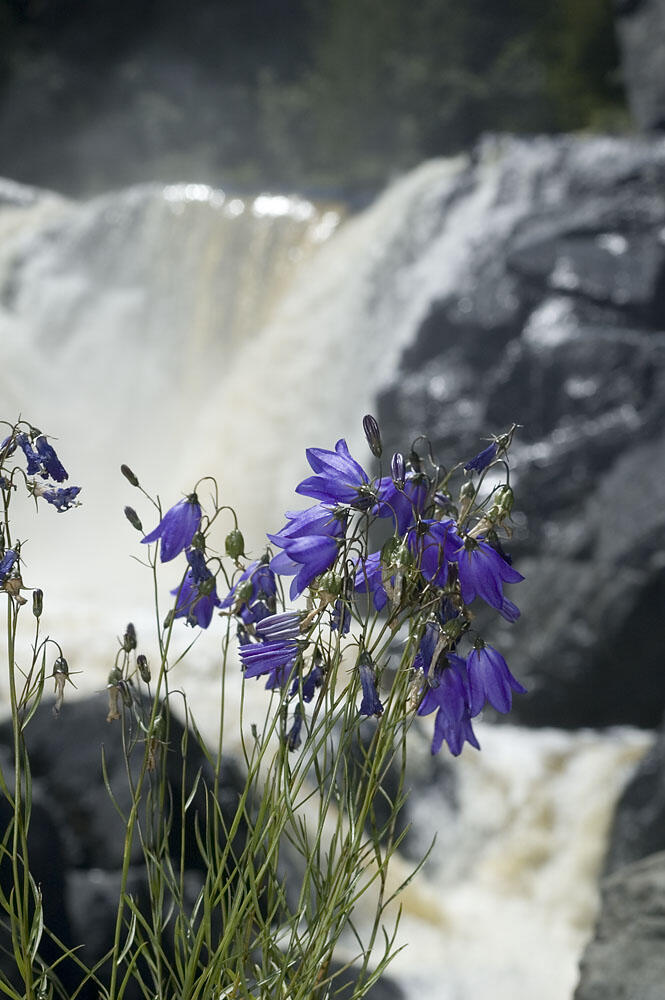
column 187, row 333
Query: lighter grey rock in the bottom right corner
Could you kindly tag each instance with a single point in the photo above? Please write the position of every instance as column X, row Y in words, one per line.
column 626, row 958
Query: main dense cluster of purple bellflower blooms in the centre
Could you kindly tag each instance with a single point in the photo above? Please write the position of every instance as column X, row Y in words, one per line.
column 439, row 557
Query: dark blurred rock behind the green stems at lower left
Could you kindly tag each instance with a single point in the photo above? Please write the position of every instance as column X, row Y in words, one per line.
column 76, row 835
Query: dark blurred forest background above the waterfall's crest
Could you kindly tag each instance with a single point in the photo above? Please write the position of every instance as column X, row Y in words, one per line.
column 333, row 96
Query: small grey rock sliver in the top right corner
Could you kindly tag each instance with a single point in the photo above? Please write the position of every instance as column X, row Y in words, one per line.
column 641, row 33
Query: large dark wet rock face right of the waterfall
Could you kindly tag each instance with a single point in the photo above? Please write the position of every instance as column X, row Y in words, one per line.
column 560, row 325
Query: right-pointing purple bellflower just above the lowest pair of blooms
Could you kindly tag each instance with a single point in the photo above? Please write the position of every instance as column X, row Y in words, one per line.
column 482, row 573
